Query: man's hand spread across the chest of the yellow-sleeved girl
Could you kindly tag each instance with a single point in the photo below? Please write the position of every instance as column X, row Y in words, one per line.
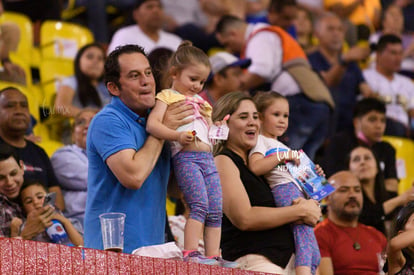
column 177, row 113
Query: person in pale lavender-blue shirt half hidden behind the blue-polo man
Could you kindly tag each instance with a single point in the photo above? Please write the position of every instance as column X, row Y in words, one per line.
column 70, row 164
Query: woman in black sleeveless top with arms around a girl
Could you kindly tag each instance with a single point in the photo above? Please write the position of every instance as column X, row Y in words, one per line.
column 255, row 232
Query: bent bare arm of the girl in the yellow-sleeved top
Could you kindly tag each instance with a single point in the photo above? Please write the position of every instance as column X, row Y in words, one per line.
column 156, row 128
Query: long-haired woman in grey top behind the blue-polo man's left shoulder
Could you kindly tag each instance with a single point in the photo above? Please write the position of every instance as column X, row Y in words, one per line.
column 85, row 88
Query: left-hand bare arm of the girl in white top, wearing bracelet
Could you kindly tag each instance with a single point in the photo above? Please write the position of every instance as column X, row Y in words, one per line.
column 260, row 165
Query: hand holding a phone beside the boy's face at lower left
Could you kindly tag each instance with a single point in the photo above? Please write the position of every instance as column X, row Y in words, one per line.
column 37, row 221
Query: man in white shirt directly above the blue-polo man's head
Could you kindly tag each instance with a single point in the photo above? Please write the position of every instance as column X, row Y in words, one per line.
column 147, row 32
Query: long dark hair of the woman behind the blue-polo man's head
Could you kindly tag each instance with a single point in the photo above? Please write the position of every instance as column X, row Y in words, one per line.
column 87, row 93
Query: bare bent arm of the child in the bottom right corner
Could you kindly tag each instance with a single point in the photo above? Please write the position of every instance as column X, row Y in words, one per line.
column 396, row 259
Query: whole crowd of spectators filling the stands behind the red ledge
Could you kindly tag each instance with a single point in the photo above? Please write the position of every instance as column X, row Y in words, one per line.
column 133, row 120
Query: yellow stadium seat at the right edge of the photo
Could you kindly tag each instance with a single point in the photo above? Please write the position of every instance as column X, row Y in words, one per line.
column 405, row 161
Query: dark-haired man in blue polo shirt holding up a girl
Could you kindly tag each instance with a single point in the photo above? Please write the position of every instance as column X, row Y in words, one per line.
column 128, row 169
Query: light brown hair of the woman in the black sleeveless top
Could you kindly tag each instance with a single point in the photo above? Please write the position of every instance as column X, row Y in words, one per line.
column 227, row 105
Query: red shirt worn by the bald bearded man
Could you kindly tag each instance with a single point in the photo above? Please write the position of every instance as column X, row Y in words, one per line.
column 336, row 242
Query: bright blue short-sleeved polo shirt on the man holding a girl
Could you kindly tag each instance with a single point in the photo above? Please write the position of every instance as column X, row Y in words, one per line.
column 113, row 129
